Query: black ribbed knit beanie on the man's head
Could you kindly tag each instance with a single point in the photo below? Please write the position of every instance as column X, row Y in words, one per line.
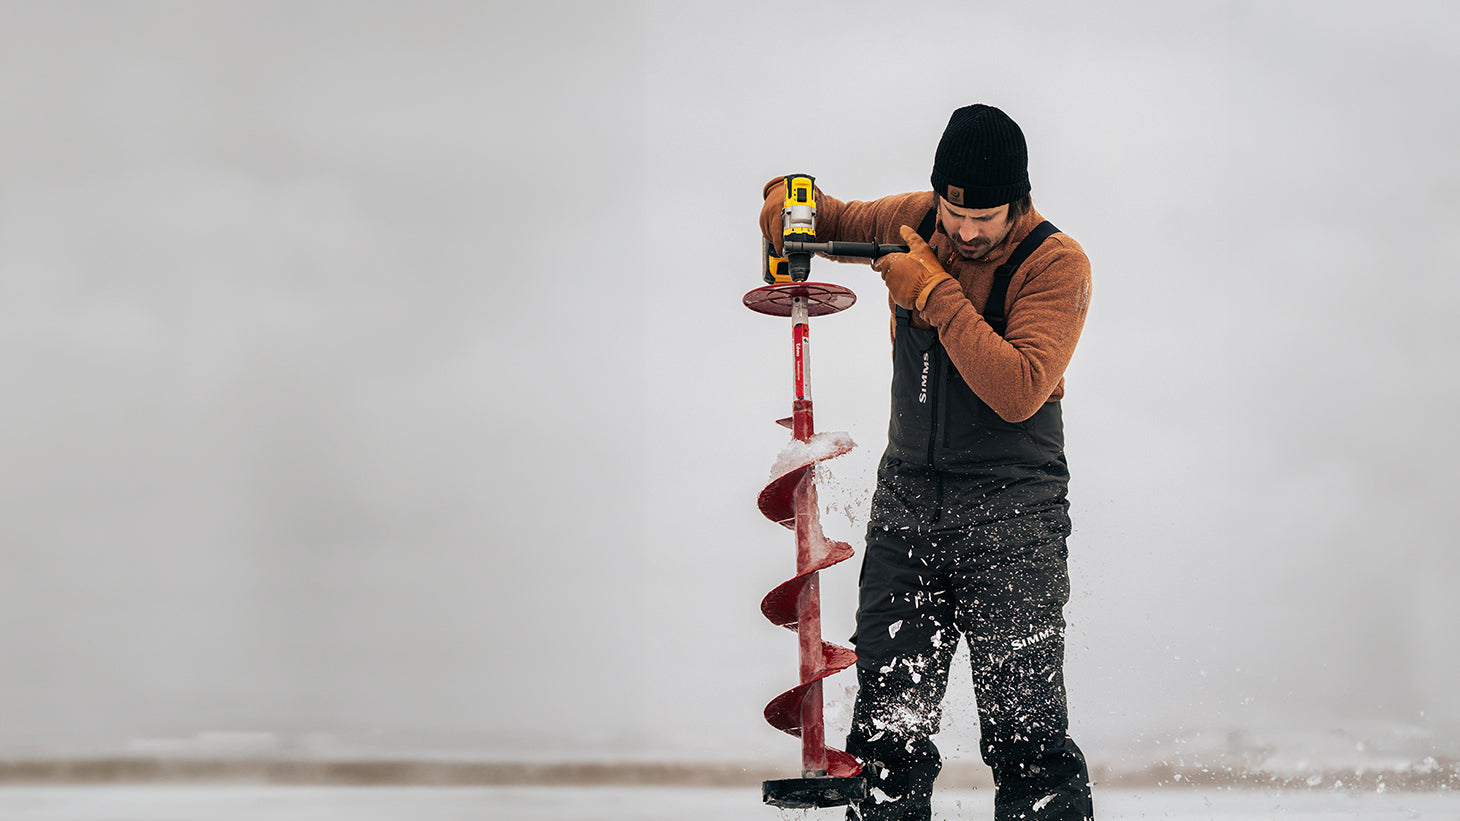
column 982, row 160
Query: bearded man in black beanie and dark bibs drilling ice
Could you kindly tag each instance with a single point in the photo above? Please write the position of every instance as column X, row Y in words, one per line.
column 969, row 524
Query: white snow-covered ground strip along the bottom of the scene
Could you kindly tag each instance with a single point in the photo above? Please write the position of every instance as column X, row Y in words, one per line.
column 655, row 804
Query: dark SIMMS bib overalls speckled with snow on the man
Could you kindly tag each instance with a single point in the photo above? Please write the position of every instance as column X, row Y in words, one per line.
column 967, row 541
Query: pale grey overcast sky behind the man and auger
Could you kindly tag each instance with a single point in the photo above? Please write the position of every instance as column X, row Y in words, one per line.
column 379, row 372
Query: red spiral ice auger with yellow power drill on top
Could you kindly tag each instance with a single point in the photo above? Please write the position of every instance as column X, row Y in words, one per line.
column 830, row 778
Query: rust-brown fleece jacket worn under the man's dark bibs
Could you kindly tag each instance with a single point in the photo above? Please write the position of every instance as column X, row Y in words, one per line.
column 1046, row 305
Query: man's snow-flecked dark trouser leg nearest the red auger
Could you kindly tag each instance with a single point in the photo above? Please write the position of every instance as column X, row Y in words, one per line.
column 906, row 641
